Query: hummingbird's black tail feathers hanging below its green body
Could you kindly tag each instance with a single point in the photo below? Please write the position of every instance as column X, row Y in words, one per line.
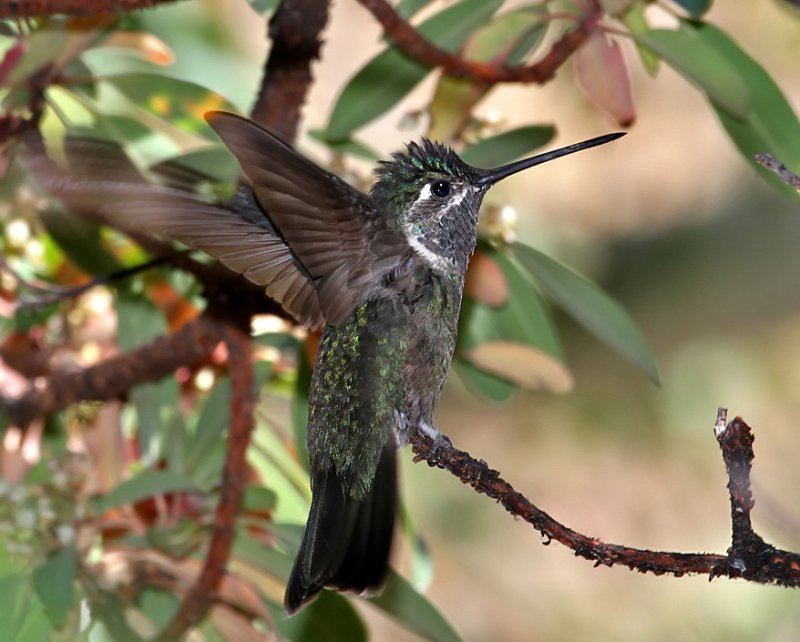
column 346, row 542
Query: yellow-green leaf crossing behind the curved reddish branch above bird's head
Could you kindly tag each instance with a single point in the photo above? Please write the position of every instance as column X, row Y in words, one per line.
column 506, row 39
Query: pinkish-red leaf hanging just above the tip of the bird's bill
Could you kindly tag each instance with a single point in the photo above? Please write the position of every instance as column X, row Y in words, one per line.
column 603, row 76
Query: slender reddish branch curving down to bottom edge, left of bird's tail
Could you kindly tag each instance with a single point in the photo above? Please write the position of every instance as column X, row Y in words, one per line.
column 204, row 593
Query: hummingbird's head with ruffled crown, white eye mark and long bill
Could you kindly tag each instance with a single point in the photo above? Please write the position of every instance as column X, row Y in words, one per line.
column 436, row 197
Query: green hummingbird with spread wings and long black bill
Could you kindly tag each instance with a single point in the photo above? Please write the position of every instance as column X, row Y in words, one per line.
column 382, row 274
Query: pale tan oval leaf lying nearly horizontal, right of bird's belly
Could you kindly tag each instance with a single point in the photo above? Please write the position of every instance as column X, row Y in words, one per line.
column 527, row 366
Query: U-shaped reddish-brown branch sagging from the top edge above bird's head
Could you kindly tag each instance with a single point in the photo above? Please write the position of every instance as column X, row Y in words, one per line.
column 406, row 38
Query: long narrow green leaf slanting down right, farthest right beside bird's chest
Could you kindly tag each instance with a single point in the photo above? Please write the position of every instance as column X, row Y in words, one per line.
column 591, row 307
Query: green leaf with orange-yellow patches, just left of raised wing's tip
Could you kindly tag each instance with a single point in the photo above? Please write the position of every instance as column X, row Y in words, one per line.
column 180, row 102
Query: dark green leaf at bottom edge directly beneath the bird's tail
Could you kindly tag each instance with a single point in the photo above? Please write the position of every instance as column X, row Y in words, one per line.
column 329, row 618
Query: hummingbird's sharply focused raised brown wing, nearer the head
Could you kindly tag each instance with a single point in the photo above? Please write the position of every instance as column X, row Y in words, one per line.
column 330, row 227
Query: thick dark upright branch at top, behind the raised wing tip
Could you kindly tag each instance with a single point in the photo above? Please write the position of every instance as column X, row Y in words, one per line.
column 295, row 34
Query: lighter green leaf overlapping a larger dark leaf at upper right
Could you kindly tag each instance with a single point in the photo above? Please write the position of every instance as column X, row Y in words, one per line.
column 689, row 50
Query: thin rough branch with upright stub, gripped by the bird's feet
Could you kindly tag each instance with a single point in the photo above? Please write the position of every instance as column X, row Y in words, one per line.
column 749, row 557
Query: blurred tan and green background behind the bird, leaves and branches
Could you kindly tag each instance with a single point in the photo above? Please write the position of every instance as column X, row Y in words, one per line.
column 704, row 255
